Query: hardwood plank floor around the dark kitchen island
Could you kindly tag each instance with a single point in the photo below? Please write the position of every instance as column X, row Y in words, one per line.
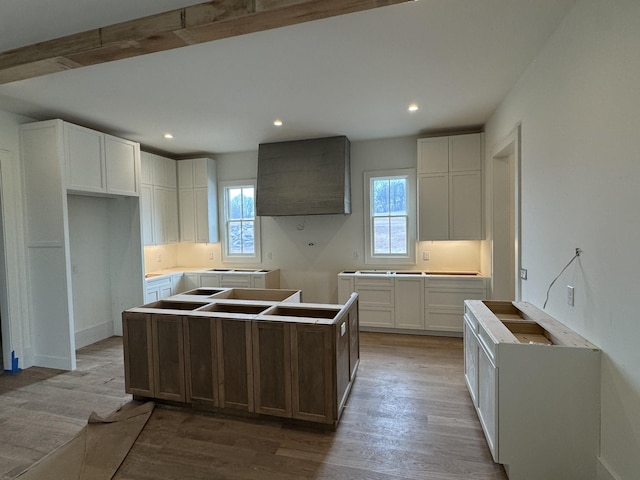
column 409, row 416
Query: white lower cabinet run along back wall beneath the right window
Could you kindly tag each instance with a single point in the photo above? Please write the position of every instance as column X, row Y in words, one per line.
column 411, row 300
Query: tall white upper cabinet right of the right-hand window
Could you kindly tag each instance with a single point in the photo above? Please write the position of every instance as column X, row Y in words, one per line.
column 450, row 187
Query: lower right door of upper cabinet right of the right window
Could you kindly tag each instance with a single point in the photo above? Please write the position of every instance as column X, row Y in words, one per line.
column 465, row 205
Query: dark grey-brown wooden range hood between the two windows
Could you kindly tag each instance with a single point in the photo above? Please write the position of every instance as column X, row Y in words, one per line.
column 304, row 177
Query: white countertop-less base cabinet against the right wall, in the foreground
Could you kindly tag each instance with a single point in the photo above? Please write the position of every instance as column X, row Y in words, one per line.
column 535, row 385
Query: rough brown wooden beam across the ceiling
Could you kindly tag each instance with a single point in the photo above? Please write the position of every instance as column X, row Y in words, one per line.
column 165, row 31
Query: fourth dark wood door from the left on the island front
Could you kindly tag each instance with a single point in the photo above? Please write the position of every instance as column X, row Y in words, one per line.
column 235, row 366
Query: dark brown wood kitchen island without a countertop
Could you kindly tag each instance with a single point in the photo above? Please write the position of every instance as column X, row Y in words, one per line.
column 251, row 352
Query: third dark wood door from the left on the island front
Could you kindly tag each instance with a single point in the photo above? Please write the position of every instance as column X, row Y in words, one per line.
column 201, row 353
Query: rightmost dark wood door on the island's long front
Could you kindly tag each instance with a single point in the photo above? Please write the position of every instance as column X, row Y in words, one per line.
column 313, row 384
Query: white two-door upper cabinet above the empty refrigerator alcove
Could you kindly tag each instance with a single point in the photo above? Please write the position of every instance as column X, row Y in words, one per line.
column 99, row 163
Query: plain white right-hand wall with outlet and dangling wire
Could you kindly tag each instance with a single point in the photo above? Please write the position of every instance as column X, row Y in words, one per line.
column 578, row 104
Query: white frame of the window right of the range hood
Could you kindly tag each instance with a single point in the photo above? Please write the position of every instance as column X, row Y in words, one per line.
column 391, row 259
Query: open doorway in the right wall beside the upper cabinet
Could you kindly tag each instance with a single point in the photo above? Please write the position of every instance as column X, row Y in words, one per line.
column 505, row 205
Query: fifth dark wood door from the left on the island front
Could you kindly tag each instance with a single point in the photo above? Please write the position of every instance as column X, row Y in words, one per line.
column 272, row 368
